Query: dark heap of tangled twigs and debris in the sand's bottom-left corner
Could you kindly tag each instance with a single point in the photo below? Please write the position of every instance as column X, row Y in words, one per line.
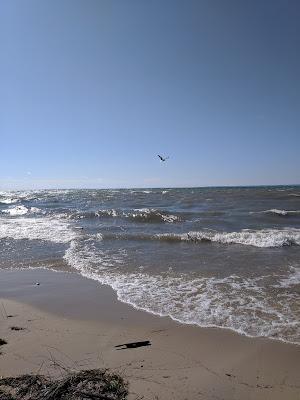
column 89, row 384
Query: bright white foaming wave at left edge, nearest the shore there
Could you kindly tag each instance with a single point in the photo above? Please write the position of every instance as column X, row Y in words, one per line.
column 53, row 230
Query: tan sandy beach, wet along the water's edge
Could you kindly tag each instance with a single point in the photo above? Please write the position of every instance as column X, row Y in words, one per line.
column 69, row 322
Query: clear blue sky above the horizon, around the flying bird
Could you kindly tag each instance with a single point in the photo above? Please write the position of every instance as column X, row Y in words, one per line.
column 92, row 90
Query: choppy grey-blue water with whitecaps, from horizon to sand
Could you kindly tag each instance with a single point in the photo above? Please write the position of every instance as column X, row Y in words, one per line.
column 225, row 257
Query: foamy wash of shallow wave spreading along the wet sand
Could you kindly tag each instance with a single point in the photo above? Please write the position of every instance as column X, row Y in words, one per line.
column 241, row 304
